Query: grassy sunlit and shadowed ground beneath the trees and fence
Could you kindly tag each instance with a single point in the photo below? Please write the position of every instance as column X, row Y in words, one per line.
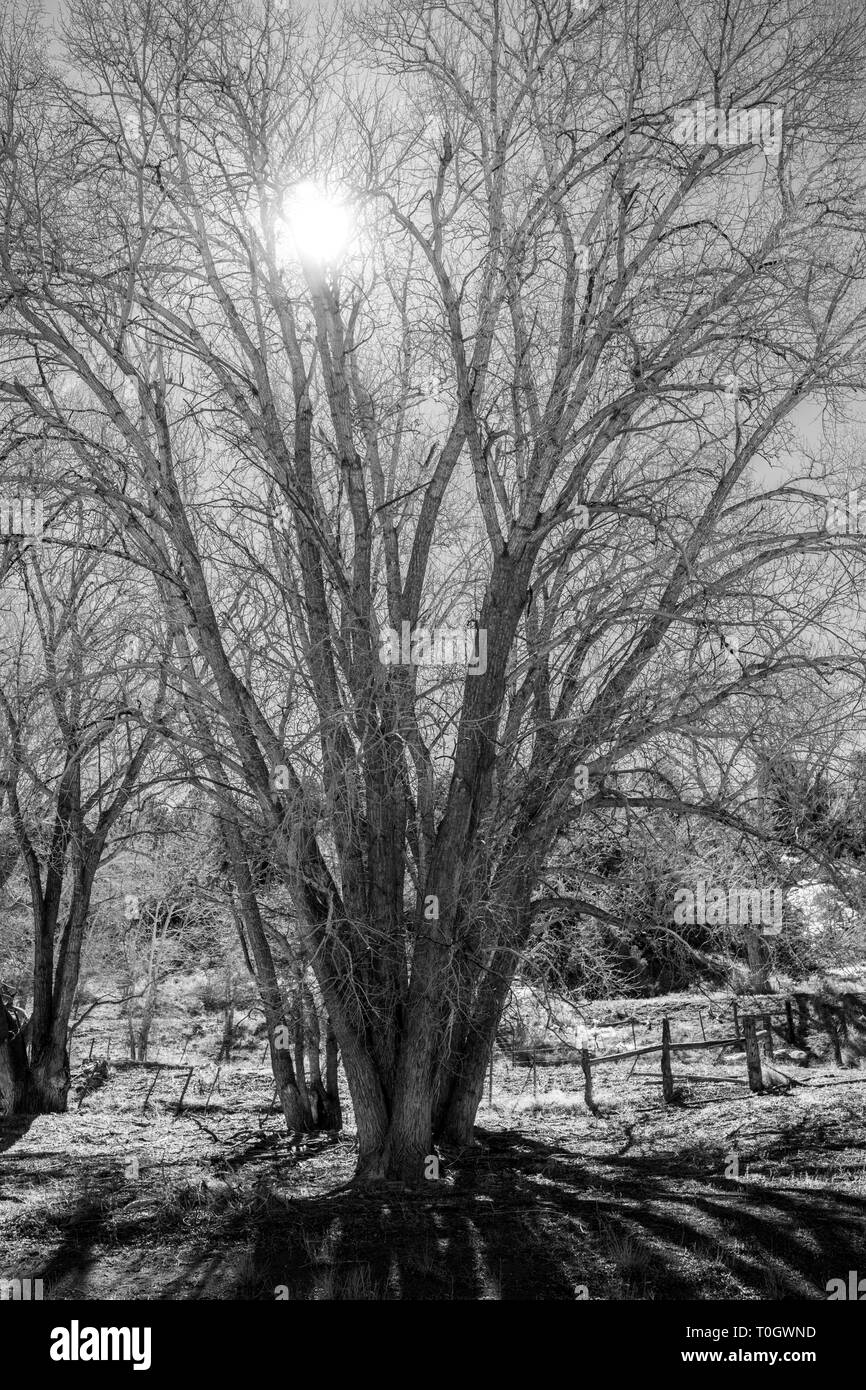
column 124, row 1200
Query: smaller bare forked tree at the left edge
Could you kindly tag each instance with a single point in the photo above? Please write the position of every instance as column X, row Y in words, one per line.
column 77, row 742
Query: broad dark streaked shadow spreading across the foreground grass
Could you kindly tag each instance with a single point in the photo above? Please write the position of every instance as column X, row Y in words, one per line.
column 518, row 1218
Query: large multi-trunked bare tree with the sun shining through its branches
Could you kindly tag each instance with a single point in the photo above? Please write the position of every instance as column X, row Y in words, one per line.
column 543, row 393
